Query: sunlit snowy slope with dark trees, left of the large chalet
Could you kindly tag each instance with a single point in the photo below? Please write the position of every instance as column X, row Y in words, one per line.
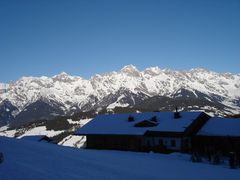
column 63, row 134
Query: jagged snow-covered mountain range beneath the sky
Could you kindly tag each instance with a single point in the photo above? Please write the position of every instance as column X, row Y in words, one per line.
column 34, row 98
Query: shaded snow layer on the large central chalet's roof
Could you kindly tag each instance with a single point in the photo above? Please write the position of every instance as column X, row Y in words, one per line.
column 119, row 124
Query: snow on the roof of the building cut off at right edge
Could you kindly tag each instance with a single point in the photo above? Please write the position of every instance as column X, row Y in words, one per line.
column 218, row 126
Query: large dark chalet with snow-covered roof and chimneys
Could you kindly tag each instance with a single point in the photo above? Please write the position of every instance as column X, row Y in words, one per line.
column 150, row 131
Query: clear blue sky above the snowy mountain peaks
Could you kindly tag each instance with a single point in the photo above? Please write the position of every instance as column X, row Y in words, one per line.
column 45, row 37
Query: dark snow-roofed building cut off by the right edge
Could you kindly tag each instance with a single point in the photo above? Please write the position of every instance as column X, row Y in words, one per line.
column 218, row 135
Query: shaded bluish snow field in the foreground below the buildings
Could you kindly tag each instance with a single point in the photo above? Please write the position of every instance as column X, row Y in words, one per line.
column 25, row 160
